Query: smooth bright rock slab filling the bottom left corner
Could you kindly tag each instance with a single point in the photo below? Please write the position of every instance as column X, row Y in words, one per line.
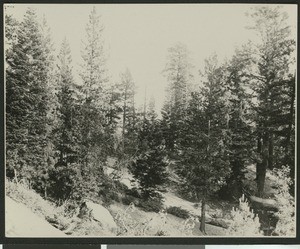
column 20, row 221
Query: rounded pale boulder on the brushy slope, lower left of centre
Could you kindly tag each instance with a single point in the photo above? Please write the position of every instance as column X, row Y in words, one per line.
column 98, row 213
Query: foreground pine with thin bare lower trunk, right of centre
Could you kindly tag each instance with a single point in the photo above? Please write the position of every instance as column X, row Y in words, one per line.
column 204, row 145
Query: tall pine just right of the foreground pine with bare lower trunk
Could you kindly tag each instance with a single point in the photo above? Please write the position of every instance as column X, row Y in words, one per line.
column 239, row 122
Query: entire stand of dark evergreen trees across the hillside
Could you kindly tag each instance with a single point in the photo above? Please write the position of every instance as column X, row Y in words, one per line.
column 60, row 132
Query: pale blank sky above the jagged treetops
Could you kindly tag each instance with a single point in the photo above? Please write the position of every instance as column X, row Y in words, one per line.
column 137, row 36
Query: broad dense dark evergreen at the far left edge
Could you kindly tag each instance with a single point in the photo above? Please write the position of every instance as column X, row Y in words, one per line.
column 27, row 99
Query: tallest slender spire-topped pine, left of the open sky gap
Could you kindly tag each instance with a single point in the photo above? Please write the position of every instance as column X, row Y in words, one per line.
column 94, row 99
